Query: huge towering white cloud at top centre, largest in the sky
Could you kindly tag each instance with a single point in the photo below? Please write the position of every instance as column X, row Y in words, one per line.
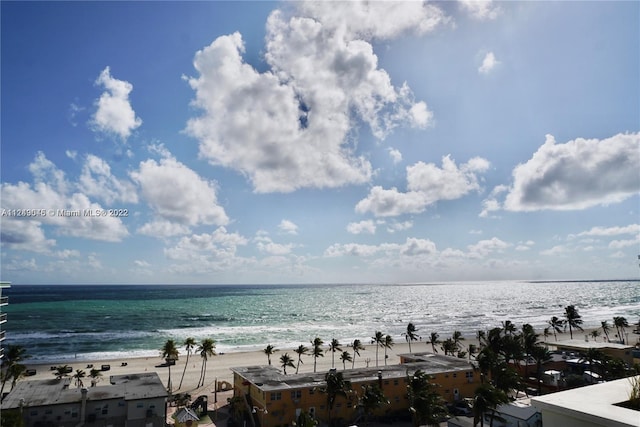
column 296, row 119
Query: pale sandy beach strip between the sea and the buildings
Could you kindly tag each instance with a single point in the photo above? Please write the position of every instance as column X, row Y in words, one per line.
column 219, row 366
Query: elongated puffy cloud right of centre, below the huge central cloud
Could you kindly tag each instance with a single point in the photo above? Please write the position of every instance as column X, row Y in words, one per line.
column 426, row 185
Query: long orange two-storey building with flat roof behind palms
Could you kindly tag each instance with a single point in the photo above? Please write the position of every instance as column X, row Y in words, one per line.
column 275, row 399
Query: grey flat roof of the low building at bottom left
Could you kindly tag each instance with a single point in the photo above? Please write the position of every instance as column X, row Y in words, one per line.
column 57, row 392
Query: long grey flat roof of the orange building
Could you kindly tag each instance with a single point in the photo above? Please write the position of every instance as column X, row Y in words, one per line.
column 270, row 378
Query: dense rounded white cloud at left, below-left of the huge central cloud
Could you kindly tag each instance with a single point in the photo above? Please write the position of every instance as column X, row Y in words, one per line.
column 178, row 194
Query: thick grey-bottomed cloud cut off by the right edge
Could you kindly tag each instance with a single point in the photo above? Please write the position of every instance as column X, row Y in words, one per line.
column 576, row 175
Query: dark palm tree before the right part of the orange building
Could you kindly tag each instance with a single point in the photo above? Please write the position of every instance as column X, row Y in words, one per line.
column 425, row 403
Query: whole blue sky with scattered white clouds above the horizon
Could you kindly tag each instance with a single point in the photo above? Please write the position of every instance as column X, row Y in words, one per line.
column 319, row 142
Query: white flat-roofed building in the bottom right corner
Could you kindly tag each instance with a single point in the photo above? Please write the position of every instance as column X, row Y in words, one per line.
column 590, row 406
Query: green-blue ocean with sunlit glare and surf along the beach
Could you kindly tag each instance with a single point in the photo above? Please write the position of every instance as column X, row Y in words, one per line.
column 62, row 323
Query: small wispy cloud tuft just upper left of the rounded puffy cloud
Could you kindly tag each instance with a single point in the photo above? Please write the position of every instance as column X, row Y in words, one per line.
column 97, row 181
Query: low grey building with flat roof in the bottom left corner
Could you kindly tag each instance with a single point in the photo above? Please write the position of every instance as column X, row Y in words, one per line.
column 137, row 400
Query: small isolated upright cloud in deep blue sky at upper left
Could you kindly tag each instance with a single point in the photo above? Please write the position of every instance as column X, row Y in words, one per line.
column 114, row 113
